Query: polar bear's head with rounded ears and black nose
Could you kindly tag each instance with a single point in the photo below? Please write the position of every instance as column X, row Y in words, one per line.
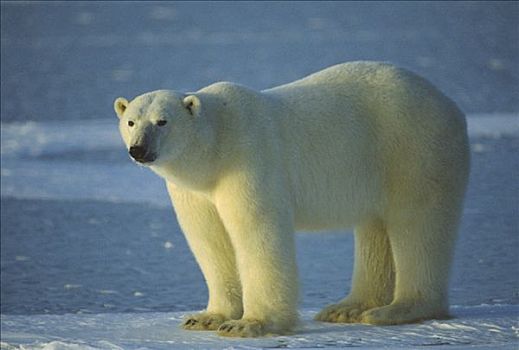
column 159, row 126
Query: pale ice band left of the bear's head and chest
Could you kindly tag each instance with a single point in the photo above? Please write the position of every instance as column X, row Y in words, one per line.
column 72, row 160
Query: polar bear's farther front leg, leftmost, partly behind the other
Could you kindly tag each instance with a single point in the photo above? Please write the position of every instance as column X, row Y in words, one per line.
column 212, row 248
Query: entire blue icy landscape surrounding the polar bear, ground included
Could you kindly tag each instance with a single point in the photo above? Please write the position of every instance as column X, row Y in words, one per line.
column 91, row 254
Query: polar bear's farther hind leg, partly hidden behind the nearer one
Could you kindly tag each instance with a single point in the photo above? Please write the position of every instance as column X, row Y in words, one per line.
column 373, row 276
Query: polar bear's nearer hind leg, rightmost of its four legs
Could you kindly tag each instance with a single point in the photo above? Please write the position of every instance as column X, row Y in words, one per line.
column 422, row 242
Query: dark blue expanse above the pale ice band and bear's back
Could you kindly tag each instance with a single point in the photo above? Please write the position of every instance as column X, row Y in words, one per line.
column 70, row 60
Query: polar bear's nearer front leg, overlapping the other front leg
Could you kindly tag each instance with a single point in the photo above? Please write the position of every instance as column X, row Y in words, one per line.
column 262, row 234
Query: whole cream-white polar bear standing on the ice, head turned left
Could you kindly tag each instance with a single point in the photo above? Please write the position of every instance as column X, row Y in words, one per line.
column 362, row 144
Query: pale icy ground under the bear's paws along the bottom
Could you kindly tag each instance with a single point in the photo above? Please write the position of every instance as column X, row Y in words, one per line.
column 490, row 327
